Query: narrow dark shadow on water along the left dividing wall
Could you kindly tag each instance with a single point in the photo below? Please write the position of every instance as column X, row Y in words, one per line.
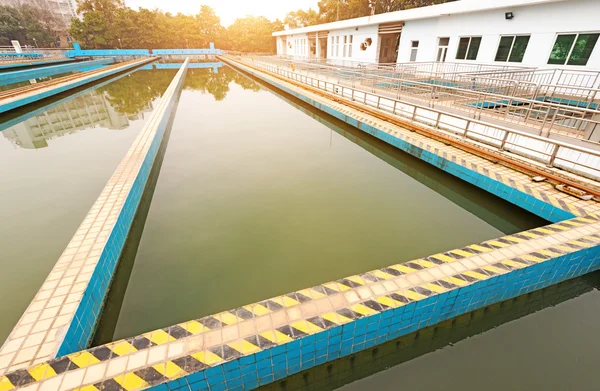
column 107, row 322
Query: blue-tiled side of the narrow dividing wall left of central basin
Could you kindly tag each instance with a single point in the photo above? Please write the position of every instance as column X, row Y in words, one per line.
column 82, row 326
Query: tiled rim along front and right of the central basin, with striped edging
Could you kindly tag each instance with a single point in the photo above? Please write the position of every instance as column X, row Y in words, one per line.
column 266, row 341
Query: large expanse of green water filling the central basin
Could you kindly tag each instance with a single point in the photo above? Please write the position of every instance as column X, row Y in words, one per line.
column 258, row 197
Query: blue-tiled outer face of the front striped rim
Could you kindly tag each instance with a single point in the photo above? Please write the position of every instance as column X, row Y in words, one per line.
column 267, row 366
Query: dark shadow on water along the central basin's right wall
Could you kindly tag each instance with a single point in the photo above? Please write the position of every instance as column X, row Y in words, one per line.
column 497, row 212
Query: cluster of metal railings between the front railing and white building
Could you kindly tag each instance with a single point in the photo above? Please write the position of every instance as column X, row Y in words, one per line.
column 541, row 109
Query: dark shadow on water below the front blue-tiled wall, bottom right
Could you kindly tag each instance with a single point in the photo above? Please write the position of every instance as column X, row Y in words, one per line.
column 335, row 374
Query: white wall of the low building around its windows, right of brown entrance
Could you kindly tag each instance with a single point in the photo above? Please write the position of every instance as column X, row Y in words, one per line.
column 542, row 22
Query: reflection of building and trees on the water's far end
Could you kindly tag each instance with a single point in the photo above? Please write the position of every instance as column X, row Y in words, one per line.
column 113, row 105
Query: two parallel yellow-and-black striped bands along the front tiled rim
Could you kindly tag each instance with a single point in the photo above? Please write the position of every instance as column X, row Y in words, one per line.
column 298, row 329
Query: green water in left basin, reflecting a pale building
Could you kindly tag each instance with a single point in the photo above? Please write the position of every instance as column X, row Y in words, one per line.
column 55, row 161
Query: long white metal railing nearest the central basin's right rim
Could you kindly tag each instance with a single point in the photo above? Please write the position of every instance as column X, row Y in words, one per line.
column 571, row 158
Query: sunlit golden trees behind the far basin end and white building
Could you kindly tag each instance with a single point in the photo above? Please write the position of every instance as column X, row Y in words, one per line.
column 109, row 24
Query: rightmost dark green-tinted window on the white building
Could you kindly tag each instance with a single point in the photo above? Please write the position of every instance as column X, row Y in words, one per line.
column 573, row 49
